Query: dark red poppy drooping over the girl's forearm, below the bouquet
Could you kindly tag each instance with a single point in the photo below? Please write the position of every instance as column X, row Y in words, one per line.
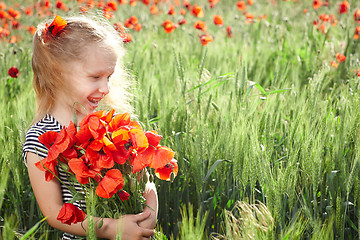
column 69, row 214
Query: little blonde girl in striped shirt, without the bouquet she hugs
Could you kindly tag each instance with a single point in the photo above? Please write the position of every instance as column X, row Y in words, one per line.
column 75, row 60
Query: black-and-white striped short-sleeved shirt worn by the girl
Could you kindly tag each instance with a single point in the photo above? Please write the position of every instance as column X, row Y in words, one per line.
column 32, row 144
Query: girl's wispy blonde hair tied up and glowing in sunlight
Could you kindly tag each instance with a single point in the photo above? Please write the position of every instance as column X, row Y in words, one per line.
column 52, row 54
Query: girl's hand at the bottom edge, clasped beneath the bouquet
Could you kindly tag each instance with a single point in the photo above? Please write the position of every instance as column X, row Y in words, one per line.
column 130, row 228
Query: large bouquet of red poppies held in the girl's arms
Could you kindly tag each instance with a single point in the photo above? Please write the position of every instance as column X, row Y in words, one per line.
column 107, row 154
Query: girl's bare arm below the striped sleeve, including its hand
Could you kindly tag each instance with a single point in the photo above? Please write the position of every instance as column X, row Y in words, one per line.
column 49, row 198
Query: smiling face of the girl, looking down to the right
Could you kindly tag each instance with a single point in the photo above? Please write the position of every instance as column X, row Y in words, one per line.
column 87, row 81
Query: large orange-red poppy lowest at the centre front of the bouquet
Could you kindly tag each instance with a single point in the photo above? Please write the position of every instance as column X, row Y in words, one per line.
column 111, row 183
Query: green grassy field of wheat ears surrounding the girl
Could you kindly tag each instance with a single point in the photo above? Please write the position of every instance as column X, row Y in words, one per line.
column 266, row 131
